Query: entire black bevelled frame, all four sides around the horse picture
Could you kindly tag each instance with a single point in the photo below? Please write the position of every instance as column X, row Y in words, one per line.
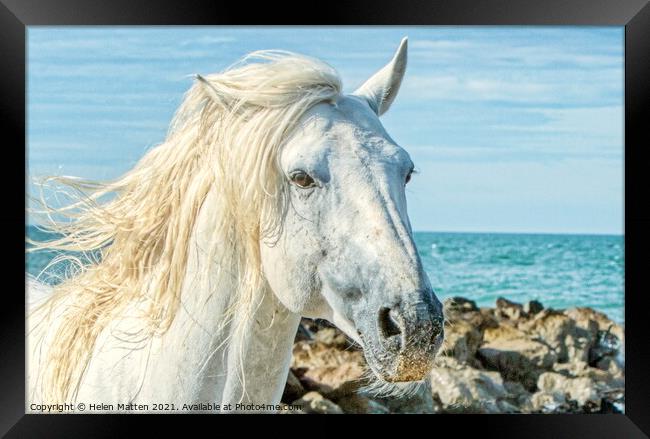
column 631, row 13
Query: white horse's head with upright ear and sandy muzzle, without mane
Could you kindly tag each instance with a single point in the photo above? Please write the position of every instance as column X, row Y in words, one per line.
column 346, row 251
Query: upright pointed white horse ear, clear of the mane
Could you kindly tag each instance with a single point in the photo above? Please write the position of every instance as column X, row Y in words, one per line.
column 380, row 90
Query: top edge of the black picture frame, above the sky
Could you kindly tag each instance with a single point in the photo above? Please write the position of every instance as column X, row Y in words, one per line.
column 368, row 12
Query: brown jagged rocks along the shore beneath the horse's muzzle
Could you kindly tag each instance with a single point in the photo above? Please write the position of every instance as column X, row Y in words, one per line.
column 512, row 358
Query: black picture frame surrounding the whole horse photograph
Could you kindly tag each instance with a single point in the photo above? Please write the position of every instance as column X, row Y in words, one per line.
column 16, row 15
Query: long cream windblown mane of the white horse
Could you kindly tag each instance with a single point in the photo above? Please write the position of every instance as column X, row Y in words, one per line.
column 226, row 136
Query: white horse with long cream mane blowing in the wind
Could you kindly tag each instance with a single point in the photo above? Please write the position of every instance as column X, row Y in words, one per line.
column 273, row 197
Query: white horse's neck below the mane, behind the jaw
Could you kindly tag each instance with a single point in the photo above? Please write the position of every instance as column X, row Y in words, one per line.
column 211, row 361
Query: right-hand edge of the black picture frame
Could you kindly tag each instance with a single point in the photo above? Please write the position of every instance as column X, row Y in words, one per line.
column 637, row 222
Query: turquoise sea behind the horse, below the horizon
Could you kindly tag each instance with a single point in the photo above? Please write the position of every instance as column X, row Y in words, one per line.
column 560, row 271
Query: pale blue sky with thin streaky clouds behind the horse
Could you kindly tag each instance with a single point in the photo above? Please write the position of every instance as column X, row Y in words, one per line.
column 512, row 129
